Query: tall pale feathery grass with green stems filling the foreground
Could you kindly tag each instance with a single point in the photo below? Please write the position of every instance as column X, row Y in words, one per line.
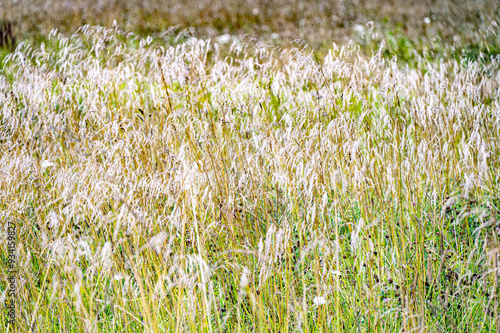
column 174, row 183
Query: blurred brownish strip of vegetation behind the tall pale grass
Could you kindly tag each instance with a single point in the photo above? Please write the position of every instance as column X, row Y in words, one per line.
column 437, row 28
